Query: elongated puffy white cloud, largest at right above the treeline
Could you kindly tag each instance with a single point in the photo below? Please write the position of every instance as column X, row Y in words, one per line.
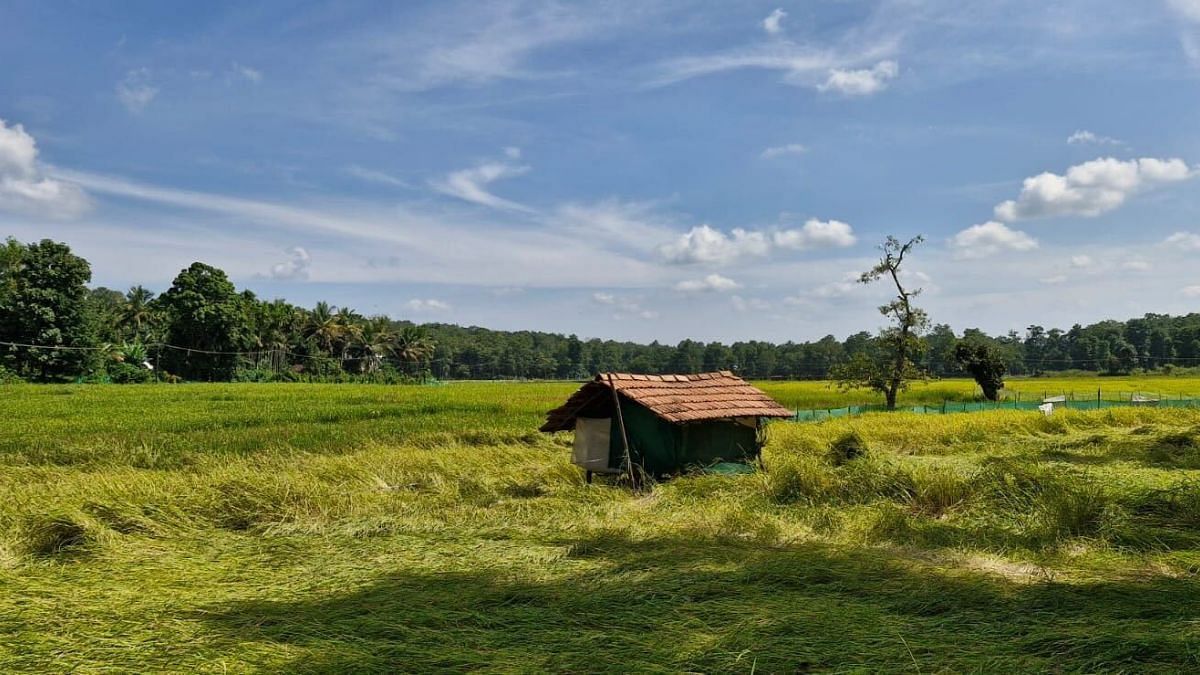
column 1090, row 189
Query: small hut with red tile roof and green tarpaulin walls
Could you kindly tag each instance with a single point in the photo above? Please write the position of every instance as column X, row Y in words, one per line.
column 668, row 422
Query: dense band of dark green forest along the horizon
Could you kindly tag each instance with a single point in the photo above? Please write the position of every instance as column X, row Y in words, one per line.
column 56, row 327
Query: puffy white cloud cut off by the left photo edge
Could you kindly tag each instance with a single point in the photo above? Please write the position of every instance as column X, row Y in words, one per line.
column 25, row 189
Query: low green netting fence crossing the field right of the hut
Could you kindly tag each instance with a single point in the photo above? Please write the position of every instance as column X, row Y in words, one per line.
column 947, row 408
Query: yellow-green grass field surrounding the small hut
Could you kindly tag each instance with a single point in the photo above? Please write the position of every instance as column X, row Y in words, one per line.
column 235, row 528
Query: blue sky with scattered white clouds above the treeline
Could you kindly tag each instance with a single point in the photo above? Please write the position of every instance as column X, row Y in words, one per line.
column 641, row 171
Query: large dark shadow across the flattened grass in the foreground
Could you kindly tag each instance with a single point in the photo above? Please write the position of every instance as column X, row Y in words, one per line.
column 617, row 605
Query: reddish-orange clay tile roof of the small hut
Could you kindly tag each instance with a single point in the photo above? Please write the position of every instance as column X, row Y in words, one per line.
column 675, row 398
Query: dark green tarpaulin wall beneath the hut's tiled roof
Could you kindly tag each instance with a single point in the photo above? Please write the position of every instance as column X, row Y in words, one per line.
column 663, row 447
